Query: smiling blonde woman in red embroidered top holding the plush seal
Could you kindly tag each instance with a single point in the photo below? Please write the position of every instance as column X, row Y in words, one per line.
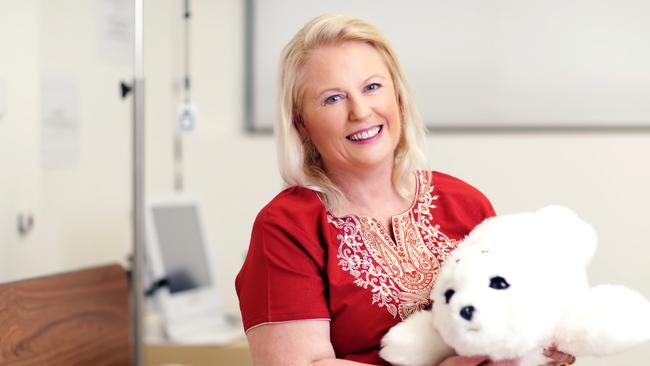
column 354, row 244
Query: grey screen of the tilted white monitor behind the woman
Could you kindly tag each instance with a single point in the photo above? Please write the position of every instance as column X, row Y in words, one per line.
column 182, row 247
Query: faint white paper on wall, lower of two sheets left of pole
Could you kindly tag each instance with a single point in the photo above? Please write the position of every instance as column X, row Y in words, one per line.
column 60, row 122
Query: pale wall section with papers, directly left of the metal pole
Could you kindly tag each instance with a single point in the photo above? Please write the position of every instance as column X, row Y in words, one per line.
column 87, row 203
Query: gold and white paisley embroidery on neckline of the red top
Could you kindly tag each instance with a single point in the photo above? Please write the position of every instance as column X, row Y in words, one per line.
column 399, row 274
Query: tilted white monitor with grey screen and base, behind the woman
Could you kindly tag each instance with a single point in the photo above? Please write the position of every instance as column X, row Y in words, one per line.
column 178, row 252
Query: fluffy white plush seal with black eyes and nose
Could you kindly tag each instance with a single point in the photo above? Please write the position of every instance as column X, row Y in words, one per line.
column 516, row 285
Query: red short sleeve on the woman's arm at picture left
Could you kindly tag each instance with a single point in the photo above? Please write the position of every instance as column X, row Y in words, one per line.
column 283, row 276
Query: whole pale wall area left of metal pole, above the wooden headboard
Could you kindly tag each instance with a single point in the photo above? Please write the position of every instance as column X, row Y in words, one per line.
column 80, row 208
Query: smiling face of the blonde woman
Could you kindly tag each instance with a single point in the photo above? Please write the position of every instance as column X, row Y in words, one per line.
column 349, row 108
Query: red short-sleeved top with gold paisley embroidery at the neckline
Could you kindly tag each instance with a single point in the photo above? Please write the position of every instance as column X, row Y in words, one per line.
column 305, row 263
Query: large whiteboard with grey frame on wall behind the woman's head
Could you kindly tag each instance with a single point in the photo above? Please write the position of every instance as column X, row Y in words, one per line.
column 483, row 63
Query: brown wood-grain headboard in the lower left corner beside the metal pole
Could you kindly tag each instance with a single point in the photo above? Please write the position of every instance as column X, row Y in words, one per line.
column 75, row 318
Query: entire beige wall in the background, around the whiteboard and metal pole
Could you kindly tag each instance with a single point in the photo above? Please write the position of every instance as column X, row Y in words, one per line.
column 602, row 175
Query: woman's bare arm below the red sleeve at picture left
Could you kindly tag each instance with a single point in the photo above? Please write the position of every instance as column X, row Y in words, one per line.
column 294, row 343
